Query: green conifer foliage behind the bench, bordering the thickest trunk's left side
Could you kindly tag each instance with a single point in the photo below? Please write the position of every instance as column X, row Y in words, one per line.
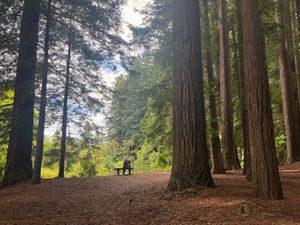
column 144, row 111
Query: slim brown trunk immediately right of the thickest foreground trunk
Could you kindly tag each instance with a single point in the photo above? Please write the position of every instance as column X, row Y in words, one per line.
column 215, row 141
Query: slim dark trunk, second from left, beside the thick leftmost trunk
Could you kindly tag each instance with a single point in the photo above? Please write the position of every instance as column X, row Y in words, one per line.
column 41, row 126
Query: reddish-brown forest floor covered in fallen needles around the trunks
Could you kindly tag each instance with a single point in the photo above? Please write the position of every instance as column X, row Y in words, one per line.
column 141, row 200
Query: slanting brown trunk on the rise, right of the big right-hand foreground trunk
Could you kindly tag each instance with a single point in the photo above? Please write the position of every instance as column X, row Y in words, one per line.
column 290, row 109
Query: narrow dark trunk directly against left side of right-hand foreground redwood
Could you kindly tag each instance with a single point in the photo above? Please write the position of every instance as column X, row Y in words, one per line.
column 242, row 99
